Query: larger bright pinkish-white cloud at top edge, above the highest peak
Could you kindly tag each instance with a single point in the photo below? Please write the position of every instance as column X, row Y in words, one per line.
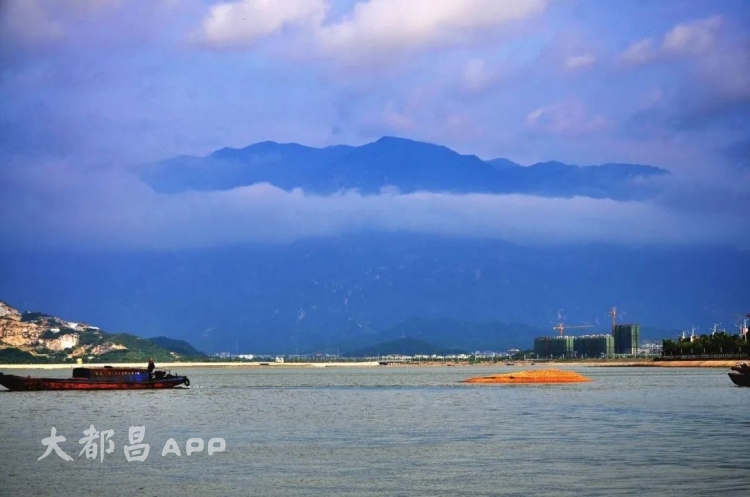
column 387, row 26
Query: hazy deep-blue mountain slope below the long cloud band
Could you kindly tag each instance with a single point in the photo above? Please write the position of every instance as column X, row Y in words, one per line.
column 316, row 294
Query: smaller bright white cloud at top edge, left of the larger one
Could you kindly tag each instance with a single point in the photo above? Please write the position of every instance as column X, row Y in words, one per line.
column 237, row 23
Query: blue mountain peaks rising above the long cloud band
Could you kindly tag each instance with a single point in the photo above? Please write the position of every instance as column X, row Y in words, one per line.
column 396, row 162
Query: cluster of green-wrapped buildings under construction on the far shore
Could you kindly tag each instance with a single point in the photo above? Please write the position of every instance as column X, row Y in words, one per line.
column 624, row 340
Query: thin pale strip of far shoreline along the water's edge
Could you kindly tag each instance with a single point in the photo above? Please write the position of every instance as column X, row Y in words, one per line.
column 364, row 364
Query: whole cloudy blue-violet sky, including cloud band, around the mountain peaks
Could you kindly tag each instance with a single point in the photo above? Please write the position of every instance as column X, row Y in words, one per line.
column 92, row 87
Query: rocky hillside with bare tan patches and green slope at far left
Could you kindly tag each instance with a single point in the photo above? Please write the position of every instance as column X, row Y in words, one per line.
column 37, row 337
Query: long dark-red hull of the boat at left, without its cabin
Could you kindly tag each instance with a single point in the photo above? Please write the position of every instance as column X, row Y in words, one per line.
column 26, row 383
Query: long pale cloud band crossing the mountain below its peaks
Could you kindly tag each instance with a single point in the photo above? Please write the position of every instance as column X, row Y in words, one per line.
column 111, row 209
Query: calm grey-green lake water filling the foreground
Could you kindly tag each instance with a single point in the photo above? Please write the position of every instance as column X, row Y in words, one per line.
column 391, row 431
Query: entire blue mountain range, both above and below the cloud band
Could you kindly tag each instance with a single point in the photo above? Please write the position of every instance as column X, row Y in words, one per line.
column 350, row 291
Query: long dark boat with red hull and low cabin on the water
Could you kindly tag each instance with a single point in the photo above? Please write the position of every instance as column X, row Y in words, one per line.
column 104, row 378
